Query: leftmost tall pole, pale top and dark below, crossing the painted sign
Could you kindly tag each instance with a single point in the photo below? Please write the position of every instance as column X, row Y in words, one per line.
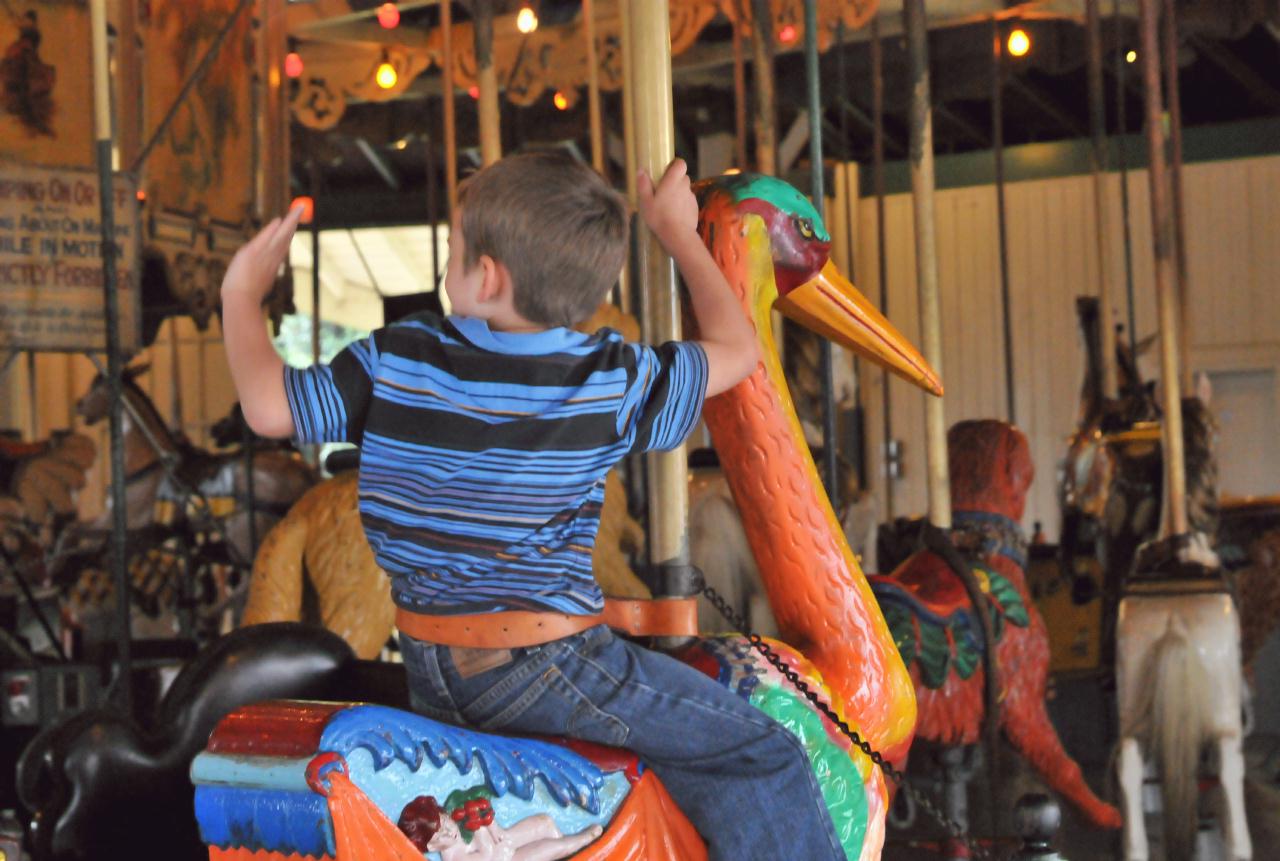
column 115, row 361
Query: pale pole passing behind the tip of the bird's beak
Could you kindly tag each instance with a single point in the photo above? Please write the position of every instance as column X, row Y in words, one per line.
column 927, row 259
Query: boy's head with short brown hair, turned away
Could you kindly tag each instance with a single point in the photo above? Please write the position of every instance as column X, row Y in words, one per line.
column 556, row 227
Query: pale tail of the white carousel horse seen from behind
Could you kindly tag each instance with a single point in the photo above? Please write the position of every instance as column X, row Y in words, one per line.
column 1177, row 718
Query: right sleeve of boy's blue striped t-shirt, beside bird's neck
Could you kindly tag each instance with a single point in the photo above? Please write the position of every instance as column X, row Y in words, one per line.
column 673, row 382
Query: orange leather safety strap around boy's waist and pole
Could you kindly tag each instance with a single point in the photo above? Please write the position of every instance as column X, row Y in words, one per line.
column 666, row 617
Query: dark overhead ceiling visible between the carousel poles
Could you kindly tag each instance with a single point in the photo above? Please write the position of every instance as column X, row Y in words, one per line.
column 373, row 166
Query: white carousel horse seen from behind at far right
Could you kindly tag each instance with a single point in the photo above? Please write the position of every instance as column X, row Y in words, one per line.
column 1178, row 677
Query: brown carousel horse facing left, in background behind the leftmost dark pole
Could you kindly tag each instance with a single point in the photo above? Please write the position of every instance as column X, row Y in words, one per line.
column 173, row 486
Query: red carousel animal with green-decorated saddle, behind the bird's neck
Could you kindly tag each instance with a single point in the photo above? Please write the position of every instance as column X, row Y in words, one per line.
column 941, row 639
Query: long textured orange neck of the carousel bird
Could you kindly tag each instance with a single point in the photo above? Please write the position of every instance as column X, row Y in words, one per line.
column 816, row 588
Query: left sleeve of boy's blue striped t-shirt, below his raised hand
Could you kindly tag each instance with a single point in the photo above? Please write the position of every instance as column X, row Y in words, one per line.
column 330, row 402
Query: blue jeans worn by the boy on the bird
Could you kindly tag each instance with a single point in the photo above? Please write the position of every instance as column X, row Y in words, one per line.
column 744, row 781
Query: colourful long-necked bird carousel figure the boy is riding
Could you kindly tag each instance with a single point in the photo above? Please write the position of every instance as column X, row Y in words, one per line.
column 326, row 780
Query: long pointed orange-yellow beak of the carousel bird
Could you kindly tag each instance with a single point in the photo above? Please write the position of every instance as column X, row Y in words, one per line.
column 833, row 308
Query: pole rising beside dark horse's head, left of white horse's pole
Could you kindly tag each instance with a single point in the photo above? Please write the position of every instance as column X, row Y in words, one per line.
column 1101, row 212
